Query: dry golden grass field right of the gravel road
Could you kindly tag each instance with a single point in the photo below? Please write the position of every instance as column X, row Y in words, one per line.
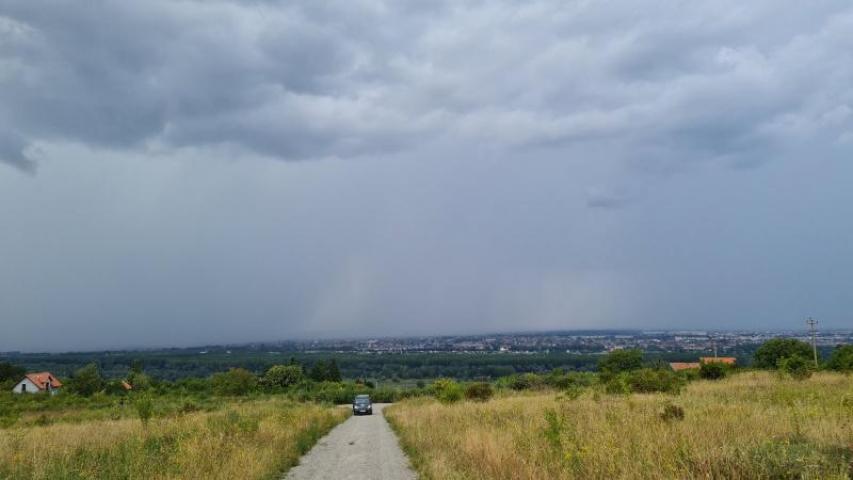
column 748, row 426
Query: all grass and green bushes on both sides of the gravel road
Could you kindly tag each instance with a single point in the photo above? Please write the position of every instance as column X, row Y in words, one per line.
column 634, row 417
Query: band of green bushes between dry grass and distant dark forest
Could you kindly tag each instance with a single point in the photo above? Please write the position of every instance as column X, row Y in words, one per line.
column 620, row 372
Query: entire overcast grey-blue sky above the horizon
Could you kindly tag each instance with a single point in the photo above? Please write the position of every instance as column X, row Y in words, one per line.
column 191, row 172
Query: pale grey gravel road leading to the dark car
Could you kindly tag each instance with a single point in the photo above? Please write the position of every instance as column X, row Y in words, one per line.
column 363, row 447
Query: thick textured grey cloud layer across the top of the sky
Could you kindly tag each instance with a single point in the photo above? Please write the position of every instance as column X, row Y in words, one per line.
column 299, row 80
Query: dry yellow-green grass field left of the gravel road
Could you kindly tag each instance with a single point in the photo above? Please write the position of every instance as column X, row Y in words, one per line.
column 250, row 440
